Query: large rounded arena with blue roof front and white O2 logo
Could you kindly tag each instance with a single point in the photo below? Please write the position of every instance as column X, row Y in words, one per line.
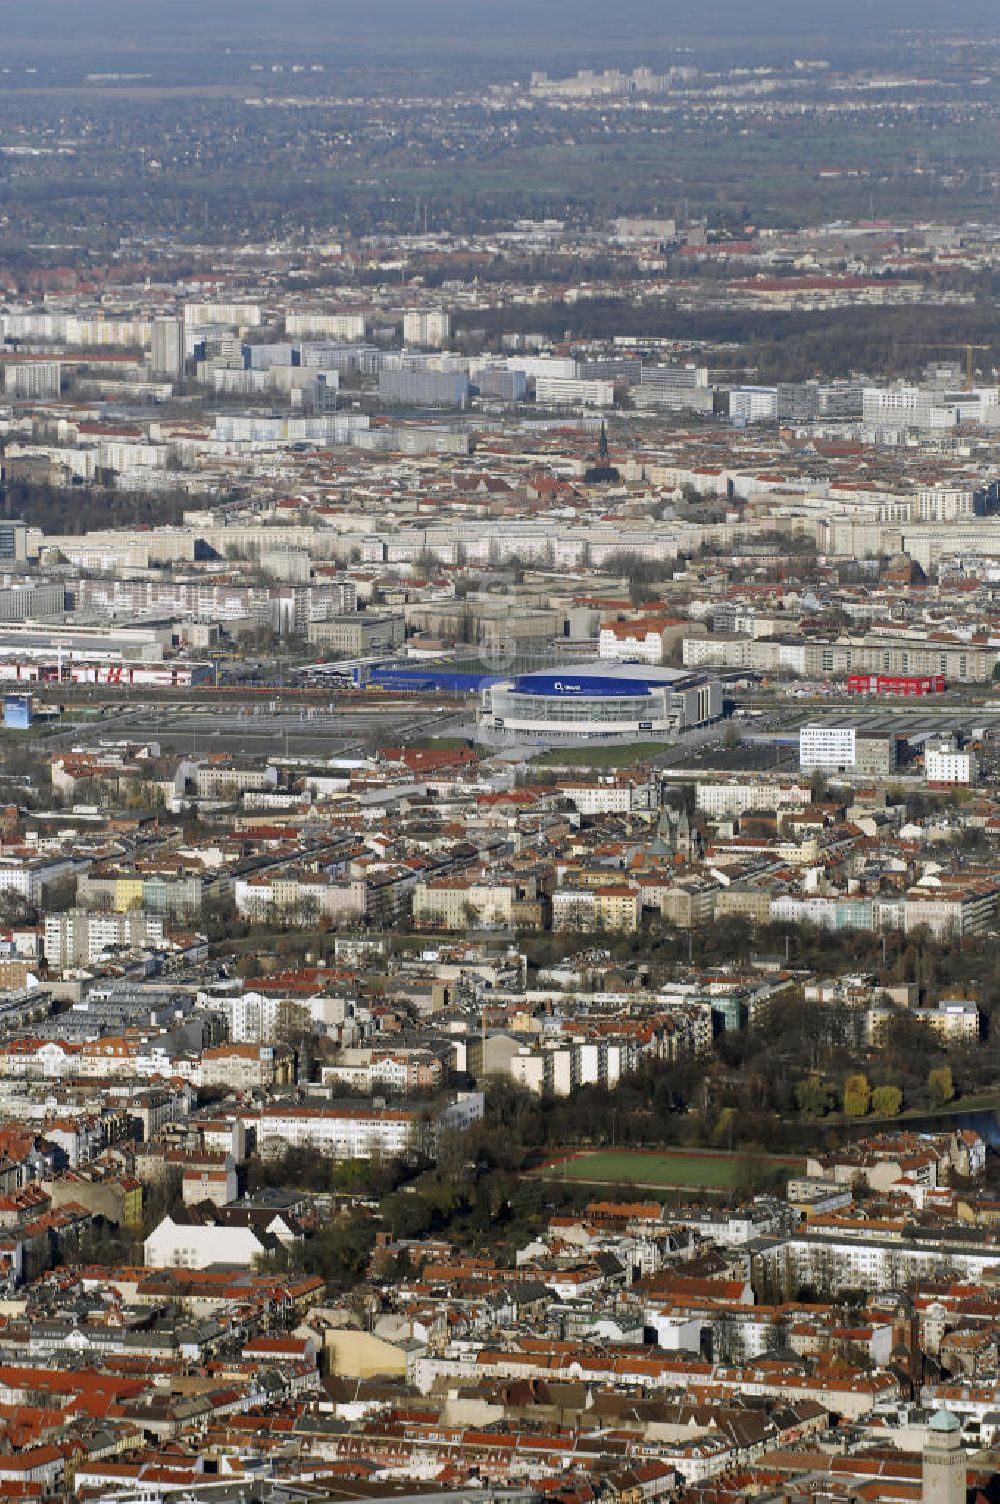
column 598, row 702
